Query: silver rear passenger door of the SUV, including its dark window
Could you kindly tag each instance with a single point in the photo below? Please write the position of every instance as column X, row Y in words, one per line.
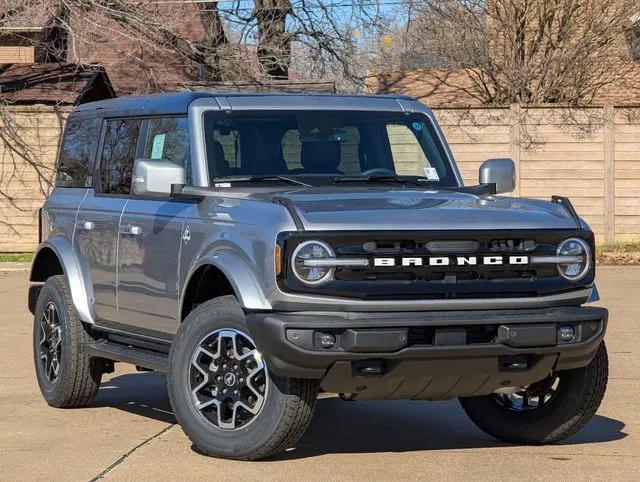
column 96, row 234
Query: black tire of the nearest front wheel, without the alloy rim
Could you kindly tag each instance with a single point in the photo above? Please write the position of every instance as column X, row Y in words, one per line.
column 288, row 406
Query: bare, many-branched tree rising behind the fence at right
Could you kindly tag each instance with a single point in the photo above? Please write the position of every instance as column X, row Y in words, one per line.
column 522, row 51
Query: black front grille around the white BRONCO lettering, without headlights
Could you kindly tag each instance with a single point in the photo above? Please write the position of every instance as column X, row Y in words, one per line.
column 439, row 282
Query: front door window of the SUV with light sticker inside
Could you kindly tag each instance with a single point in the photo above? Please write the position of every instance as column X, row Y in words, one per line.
column 168, row 139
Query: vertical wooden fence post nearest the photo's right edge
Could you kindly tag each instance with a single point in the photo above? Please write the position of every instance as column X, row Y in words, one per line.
column 609, row 174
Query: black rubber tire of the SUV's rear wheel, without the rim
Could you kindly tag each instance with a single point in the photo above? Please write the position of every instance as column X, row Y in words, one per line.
column 79, row 375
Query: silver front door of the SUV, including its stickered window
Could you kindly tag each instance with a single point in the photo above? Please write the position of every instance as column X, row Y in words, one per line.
column 150, row 239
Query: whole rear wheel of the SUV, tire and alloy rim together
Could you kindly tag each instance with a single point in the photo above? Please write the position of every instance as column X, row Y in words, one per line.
column 66, row 375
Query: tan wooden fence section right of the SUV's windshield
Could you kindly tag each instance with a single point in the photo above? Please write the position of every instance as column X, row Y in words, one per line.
column 591, row 155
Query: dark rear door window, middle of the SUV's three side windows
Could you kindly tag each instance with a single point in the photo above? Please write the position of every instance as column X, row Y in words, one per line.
column 118, row 155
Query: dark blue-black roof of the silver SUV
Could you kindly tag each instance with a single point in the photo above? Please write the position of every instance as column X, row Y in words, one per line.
column 178, row 102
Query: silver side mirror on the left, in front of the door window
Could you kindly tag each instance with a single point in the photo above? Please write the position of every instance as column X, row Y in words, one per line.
column 154, row 177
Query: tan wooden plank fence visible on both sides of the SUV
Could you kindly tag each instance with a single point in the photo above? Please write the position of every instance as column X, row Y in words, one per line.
column 591, row 155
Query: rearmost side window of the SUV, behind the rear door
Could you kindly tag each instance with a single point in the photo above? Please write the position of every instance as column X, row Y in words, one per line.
column 75, row 163
